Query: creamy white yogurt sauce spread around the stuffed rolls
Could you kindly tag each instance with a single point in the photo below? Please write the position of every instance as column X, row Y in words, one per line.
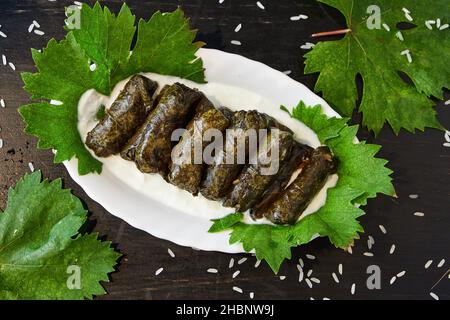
column 153, row 185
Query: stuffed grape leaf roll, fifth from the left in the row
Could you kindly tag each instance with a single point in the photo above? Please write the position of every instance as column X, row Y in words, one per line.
column 249, row 188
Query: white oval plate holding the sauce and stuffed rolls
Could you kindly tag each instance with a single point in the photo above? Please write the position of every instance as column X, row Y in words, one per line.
column 162, row 221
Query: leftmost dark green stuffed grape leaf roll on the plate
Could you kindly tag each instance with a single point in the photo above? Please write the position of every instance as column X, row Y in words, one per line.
column 126, row 114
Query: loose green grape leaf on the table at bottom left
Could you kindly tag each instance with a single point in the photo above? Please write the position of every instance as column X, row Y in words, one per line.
column 41, row 251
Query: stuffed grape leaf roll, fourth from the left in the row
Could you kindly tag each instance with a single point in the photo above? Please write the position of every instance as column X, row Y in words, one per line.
column 219, row 176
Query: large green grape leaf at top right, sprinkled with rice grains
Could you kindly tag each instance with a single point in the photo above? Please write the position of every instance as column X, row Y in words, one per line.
column 376, row 55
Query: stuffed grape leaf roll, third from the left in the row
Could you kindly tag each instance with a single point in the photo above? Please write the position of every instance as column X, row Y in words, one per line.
column 188, row 174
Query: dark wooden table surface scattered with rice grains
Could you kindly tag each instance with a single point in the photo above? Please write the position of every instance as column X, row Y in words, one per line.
column 421, row 164
